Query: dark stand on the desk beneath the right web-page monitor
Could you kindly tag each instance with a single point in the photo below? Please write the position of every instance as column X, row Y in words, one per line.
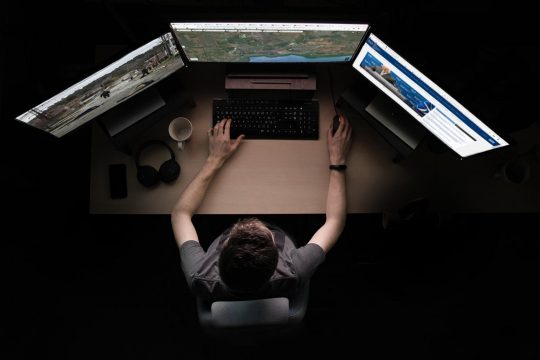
column 393, row 123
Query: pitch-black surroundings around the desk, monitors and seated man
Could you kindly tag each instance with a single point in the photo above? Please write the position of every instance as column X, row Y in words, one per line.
column 80, row 286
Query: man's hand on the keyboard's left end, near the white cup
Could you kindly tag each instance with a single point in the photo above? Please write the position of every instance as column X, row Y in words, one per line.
column 220, row 144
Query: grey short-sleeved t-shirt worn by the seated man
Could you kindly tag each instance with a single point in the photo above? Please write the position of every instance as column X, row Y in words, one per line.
column 294, row 269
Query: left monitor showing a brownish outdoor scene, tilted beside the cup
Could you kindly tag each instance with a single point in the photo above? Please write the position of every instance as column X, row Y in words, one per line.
column 106, row 88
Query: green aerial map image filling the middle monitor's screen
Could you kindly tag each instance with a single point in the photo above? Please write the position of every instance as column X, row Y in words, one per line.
column 303, row 46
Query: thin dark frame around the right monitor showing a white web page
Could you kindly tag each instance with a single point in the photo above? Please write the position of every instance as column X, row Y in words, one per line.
column 497, row 130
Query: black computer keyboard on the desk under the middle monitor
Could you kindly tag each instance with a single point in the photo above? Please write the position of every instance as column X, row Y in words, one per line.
column 269, row 119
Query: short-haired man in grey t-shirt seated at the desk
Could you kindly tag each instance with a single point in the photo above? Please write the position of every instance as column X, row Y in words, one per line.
column 253, row 259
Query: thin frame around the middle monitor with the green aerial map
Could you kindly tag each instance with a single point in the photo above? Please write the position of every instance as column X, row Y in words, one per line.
column 187, row 61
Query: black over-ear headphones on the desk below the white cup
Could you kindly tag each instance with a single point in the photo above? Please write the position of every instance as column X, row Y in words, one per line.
column 148, row 175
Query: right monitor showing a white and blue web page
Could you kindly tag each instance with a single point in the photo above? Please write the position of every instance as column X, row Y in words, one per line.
column 430, row 105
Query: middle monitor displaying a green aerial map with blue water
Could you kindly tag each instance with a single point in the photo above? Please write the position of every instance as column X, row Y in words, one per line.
column 265, row 42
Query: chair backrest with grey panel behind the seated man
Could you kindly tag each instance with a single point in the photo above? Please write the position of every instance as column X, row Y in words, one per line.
column 255, row 318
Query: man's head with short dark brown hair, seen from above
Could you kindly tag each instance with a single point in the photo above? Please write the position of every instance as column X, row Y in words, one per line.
column 249, row 256
